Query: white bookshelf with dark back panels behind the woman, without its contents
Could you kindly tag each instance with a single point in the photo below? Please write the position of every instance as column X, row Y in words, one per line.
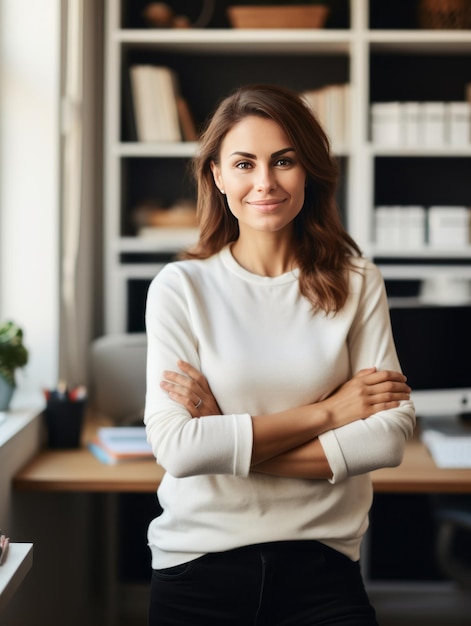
column 374, row 45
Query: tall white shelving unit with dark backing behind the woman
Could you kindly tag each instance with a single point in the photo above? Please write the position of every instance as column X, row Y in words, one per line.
column 353, row 48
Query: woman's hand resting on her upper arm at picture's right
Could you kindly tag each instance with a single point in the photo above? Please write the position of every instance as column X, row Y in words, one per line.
column 368, row 392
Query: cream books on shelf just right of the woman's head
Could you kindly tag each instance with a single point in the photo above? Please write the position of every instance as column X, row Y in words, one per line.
column 331, row 106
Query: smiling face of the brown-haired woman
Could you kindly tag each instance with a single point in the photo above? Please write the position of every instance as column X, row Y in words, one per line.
column 260, row 173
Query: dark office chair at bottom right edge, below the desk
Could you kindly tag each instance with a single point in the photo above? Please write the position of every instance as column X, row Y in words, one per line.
column 453, row 541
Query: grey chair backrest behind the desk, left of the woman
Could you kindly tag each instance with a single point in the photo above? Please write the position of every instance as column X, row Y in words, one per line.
column 118, row 381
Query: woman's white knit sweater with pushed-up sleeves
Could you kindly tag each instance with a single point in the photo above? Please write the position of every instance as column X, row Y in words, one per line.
column 262, row 350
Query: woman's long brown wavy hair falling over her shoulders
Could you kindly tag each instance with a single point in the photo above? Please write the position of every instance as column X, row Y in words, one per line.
column 324, row 249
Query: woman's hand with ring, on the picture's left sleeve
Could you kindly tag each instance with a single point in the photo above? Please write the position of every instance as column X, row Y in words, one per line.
column 191, row 390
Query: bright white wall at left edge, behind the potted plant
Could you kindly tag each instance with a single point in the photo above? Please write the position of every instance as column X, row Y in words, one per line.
column 29, row 181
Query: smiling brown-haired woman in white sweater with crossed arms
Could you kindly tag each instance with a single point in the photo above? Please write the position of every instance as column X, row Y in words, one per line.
column 275, row 333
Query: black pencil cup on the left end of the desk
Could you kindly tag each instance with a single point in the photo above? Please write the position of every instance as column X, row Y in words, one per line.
column 64, row 420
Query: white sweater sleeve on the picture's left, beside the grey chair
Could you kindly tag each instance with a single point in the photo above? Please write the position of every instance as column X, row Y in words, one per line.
column 185, row 446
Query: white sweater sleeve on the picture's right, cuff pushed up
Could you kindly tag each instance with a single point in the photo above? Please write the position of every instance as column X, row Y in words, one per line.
column 379, row 440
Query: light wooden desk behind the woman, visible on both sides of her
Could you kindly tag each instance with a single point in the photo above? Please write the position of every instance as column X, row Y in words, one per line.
column 79, row 470
